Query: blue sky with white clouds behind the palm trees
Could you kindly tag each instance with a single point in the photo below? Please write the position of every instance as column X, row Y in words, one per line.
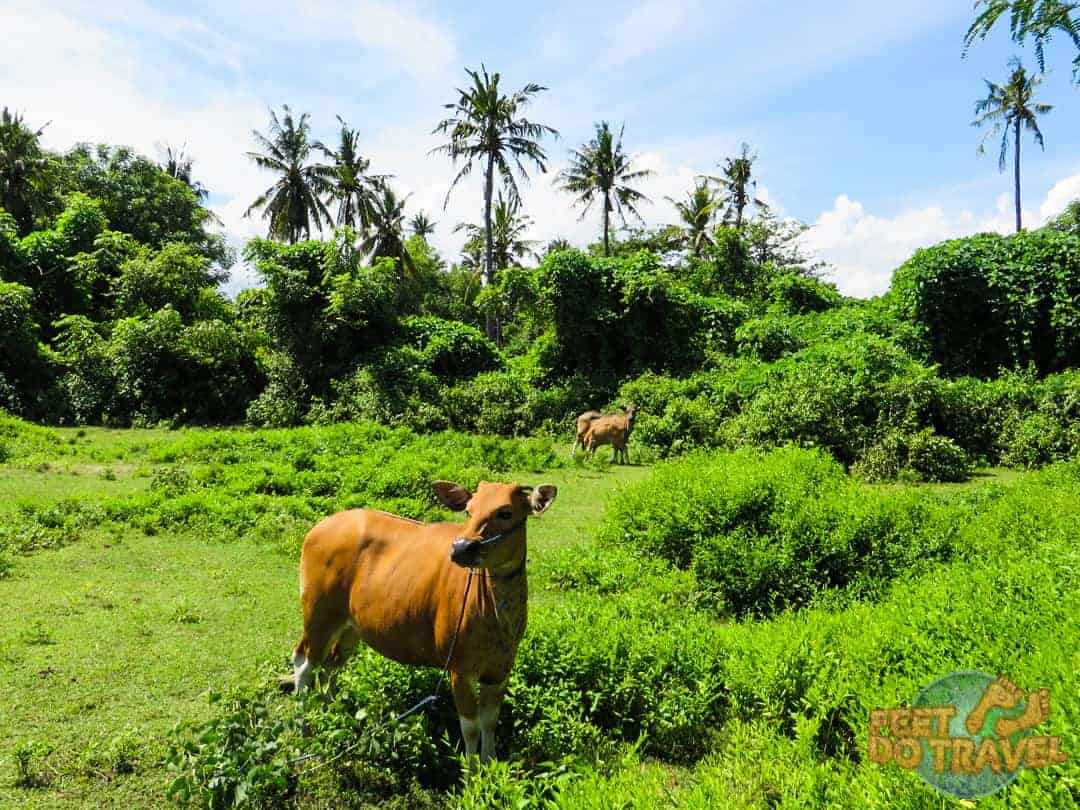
column 861, row 120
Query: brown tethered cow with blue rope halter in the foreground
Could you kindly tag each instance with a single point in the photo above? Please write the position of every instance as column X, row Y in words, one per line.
column 399, row 587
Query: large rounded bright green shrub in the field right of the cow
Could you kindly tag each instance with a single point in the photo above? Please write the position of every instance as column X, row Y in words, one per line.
column 764, row 533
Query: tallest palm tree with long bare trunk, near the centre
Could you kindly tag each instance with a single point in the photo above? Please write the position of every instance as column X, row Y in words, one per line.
column 487, row 126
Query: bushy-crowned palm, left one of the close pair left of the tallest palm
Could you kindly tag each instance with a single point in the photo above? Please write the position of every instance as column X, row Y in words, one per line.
column 294, row 202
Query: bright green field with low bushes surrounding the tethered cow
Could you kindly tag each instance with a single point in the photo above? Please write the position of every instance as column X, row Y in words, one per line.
column 711, row 632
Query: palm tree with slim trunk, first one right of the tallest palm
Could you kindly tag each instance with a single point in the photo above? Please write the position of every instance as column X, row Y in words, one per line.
column 602, row 169
